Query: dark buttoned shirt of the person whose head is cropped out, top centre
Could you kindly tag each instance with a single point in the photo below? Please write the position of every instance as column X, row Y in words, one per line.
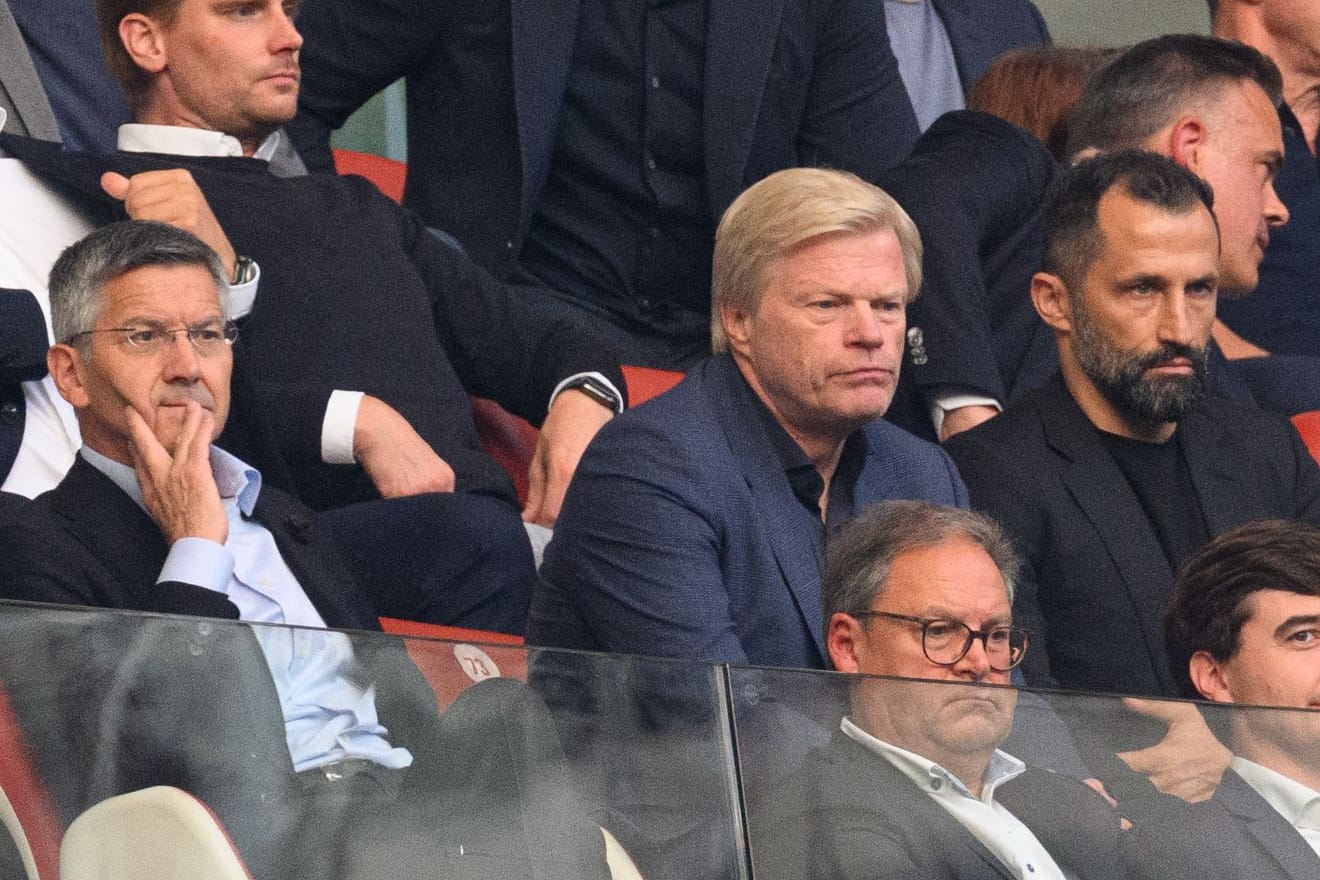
column 625, row 225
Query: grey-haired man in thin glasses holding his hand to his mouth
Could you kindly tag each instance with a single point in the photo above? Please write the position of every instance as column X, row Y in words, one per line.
column 321, row 734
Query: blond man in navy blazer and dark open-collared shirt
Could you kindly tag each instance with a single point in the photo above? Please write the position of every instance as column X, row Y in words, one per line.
column 695, row 527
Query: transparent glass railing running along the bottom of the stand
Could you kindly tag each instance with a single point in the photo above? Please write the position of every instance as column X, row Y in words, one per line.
column 361, row 755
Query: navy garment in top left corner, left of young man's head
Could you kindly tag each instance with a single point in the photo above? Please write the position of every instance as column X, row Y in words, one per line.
column 65, row 49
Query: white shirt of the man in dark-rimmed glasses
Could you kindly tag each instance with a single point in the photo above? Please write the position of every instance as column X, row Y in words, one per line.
column 989, row 821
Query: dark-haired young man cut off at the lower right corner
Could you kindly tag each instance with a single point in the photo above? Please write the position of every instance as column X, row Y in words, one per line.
column 1244, row 627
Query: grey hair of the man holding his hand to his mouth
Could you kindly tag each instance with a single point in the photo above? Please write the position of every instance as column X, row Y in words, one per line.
column 85, row 268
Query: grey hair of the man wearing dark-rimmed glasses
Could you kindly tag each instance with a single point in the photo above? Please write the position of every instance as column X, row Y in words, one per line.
column 861, row 555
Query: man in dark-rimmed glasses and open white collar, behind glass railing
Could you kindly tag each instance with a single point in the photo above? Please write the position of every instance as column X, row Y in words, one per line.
column 914, row 783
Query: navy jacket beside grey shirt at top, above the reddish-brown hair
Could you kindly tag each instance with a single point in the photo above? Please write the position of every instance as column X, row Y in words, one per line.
column 981, row 31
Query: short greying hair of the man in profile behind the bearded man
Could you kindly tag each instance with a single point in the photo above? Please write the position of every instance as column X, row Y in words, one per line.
column 1154, row 82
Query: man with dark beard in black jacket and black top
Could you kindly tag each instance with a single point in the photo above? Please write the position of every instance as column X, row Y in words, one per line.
column 1121, row 468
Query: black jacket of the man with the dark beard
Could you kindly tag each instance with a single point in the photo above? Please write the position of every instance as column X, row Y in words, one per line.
column 1095, row 577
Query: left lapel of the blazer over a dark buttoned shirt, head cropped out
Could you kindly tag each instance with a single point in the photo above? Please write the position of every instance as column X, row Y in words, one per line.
column 544, row 34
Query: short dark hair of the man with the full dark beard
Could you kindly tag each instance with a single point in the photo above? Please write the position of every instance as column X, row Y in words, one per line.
column 1071, row 214
